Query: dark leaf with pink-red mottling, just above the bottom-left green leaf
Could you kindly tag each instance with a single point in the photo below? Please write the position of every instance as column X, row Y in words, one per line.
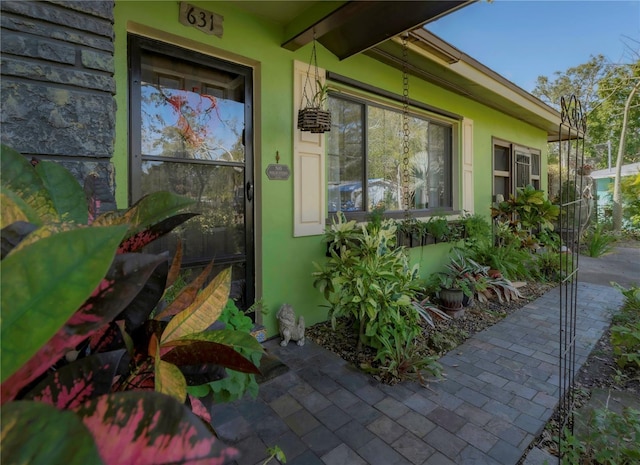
column 73, row 384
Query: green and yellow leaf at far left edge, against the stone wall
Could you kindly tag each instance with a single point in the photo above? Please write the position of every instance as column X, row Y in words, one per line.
column 17, row 174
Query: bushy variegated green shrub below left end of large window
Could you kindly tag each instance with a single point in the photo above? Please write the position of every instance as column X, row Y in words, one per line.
column 368, row 280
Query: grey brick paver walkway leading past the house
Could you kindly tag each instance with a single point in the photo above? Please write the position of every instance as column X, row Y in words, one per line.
column 500, row 389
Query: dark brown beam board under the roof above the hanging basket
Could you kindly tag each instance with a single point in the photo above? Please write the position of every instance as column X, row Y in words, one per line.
column 357, row 26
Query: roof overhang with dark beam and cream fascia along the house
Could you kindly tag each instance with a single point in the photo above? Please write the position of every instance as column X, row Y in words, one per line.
column 347, row 28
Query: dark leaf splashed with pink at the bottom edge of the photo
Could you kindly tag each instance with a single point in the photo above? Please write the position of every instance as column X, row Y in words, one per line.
column 151, row 428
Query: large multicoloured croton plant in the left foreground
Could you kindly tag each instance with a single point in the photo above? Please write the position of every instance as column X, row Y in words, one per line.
column 92, row 370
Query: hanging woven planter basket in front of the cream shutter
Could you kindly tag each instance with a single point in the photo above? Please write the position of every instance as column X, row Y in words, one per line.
column 312, row 116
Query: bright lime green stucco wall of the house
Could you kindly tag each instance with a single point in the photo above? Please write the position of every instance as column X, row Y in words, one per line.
column 284, row 262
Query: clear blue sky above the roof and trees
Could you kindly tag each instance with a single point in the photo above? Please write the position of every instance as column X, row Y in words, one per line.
column 524, row 39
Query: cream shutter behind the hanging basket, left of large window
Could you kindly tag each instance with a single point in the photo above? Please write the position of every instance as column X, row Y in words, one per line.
column 309, row 188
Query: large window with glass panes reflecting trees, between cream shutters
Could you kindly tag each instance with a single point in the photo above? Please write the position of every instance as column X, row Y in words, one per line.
column 366, row 161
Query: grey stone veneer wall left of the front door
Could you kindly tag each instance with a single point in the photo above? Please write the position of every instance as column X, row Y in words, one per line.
column 57, row 86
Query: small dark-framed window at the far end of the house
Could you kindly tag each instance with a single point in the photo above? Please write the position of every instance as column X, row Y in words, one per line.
column 514, row 167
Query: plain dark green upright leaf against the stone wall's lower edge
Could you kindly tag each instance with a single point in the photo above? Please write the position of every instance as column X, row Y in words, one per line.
column 65, row 192
